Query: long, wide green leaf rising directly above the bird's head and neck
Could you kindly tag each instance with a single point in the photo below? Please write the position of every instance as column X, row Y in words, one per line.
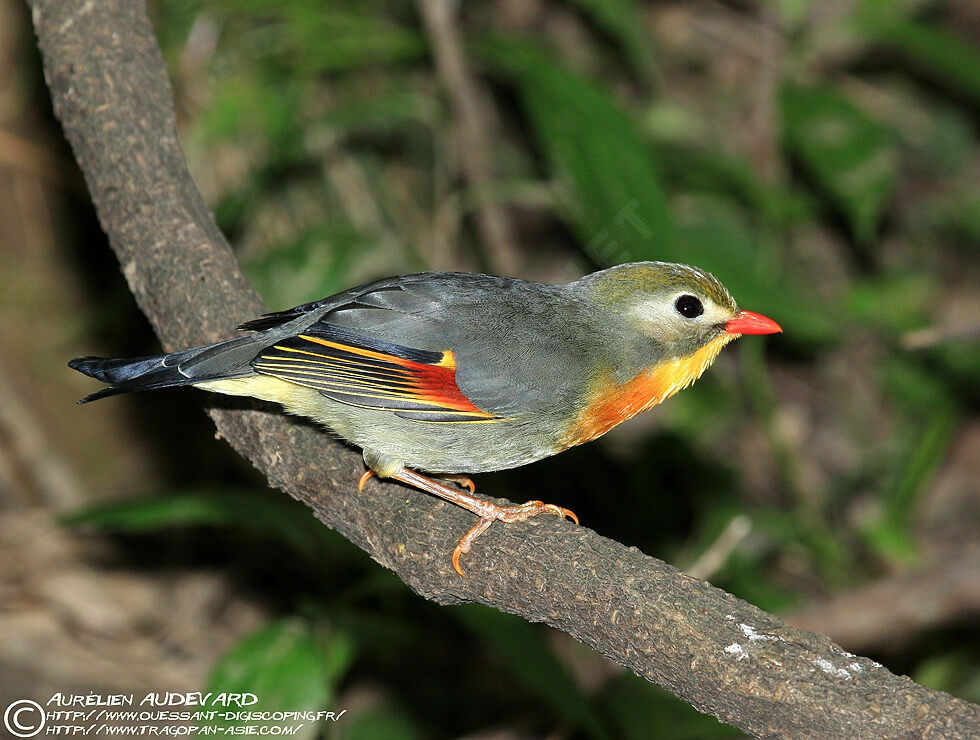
column 614, row 200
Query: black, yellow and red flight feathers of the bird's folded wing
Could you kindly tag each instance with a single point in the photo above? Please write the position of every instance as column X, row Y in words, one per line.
column 372, row 373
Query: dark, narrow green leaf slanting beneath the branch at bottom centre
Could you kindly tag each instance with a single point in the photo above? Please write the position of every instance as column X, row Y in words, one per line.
column 526, row 656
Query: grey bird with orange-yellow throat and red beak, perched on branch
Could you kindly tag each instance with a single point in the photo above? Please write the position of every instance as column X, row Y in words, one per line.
column 437, row 376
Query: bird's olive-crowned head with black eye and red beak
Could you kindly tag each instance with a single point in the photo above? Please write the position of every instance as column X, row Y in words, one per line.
column 682, row 308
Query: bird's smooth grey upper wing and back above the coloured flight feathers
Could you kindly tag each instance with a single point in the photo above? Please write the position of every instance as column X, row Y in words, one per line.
column 513, row 350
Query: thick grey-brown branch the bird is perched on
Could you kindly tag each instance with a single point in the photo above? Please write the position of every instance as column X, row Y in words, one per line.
column 724, row 656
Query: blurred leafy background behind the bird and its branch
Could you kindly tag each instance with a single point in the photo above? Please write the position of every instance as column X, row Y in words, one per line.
column 820, row 157
